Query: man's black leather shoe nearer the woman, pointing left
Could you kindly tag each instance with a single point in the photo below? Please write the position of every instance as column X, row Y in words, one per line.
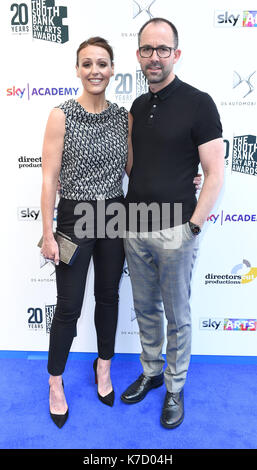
column 138, row 390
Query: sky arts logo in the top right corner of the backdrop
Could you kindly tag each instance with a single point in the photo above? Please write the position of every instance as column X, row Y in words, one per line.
column 235, row 18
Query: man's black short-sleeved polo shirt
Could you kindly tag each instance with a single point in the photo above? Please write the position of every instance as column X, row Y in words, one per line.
column 167, row 129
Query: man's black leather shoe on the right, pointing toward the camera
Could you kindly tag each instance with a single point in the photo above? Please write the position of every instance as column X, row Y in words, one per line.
column 173, row 410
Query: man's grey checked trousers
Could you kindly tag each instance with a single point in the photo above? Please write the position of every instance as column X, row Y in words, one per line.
column 160, row 266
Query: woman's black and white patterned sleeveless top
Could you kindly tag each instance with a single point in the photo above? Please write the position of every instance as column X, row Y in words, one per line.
column 95, row 152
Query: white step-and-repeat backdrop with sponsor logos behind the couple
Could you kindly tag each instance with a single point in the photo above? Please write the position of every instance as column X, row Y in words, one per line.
column 39, row 40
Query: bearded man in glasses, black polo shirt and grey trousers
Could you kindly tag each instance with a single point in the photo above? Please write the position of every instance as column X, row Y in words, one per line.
column 175, row 127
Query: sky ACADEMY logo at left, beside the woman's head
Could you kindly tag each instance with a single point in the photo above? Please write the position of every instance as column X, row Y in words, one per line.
column 30, row 92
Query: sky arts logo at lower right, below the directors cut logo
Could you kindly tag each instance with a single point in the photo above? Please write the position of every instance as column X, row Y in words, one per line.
column 227, row 324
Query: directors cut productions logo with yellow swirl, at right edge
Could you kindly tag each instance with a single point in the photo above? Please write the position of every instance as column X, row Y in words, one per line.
column 242, row 273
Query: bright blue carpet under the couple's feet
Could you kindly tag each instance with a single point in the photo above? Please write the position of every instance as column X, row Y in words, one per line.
column 220, row 407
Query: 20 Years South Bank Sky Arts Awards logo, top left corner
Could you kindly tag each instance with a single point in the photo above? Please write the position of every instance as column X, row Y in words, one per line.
column 42, row 18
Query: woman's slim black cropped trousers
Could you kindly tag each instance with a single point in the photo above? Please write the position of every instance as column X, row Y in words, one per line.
column 108, row 259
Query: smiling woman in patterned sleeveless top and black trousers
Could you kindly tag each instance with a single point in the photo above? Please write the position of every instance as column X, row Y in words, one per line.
column 87, row 146
